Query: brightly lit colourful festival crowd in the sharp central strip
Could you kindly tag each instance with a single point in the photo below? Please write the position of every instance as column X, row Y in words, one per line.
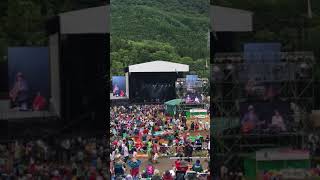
column 147, row 132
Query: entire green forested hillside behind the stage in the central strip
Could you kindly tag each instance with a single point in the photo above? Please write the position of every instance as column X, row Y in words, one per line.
column 147, row 30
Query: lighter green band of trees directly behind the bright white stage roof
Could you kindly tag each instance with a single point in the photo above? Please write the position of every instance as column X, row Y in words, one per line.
column 125, row 53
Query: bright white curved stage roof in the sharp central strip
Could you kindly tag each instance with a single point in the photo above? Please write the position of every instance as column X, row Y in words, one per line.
column 159, row 66
